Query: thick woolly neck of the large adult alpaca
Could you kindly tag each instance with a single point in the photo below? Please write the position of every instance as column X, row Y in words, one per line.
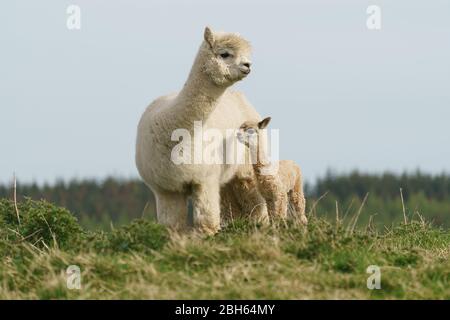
column 200, row 95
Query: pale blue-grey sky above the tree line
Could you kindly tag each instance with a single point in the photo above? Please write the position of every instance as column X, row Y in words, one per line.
column 344, row 97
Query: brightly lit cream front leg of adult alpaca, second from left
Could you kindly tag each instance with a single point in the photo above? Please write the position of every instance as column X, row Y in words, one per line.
column 206, row 202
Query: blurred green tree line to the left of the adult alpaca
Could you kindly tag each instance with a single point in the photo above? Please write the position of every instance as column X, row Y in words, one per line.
column 95, row 204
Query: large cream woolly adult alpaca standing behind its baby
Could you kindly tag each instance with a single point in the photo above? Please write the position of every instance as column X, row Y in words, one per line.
column 222, row 60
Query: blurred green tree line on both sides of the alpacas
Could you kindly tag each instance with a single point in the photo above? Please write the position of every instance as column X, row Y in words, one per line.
column 97, row 204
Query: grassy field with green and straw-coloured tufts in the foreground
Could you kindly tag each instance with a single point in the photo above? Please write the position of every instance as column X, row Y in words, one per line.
column 142, row 260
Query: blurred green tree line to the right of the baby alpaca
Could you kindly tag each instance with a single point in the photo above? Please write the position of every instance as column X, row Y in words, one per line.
column 425, row 194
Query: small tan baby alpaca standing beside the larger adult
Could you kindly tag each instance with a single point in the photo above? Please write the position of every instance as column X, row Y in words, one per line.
column 275, row 188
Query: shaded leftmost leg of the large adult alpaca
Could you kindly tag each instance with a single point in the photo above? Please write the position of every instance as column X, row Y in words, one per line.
column 172, row 209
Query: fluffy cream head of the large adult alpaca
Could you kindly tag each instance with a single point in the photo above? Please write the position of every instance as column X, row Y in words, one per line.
column 226, row 57
